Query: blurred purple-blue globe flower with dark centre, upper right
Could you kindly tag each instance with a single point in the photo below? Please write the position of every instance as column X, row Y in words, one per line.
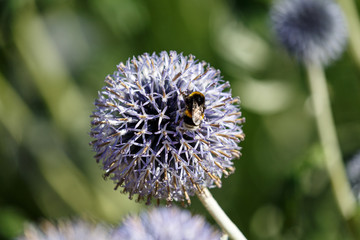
column 313, row 31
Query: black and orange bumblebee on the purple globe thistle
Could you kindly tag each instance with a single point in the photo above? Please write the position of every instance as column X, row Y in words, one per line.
column 194, row 110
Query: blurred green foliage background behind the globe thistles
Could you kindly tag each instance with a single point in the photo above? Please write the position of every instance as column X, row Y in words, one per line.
column 54, row 56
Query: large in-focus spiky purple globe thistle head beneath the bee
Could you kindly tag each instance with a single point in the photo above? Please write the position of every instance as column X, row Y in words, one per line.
column 140, row 136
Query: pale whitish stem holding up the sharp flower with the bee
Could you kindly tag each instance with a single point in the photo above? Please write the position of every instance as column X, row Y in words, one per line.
column 219, row 215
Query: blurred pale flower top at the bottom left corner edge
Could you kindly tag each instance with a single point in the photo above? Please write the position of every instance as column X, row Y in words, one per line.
column 77, row 229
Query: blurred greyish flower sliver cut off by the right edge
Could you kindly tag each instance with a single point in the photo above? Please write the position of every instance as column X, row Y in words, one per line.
column 353, row 173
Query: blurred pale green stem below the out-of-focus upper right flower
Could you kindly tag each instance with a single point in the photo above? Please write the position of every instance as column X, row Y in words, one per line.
column 329, row 141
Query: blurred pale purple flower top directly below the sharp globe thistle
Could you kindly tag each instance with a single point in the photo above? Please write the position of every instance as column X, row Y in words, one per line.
column 166, row 223
